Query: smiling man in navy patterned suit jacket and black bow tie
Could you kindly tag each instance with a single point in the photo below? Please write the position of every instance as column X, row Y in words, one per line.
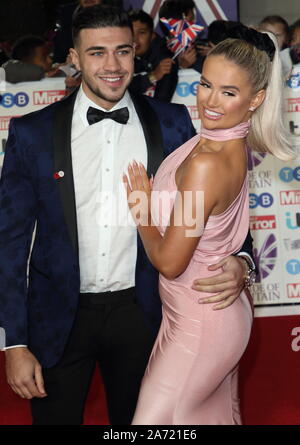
column 92, row 294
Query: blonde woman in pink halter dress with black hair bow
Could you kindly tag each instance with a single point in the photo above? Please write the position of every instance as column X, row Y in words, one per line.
column 192, row 373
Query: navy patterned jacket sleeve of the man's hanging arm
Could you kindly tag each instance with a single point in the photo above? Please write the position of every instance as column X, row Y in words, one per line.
column 18, row 209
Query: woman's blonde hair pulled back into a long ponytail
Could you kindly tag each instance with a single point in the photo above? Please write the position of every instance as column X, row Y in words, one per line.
column 267, row 132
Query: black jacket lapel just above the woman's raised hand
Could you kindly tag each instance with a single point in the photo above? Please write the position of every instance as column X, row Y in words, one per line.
column 152, row 132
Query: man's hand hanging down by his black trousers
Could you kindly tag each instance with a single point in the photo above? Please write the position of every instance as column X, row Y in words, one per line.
column 24, row 373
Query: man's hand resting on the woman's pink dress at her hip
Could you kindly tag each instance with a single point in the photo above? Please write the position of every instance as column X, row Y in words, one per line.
column 227, row 285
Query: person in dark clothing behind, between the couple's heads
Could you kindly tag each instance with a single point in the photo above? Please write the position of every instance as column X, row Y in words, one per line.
column 155, row 73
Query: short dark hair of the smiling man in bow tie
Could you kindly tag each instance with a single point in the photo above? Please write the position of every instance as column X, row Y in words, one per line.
column 99, row 16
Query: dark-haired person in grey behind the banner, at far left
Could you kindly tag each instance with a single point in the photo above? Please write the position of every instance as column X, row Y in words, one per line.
column 30, row 61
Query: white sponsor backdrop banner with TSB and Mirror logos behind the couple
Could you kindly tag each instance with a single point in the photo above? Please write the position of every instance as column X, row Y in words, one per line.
column 274, row 190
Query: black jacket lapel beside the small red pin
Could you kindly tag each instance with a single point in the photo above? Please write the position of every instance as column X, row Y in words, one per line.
column 63, row 163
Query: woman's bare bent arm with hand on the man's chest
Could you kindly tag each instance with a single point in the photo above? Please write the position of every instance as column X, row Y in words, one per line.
column 171, row 254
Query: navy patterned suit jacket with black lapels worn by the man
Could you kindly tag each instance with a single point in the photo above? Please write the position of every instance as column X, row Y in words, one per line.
column 41, row 313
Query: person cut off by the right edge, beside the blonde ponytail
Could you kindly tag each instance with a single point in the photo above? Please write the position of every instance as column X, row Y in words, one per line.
column 291, row 55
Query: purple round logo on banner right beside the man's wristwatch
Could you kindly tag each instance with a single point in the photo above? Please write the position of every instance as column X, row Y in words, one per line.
column 265, row 258
